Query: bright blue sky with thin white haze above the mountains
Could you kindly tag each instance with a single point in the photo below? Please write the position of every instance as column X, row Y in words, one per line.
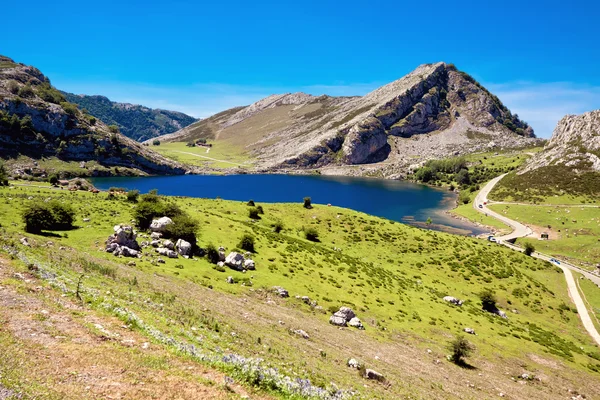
column 541, row 58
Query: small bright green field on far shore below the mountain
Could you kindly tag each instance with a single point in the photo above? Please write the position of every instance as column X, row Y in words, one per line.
column 220, row 155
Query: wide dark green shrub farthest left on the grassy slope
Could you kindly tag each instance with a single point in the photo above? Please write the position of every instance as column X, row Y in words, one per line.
column 48, row 216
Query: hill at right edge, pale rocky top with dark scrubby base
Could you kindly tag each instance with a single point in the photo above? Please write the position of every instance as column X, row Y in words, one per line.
column 568, row 165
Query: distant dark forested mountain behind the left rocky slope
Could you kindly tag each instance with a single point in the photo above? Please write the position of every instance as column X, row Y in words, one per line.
column 134, row 121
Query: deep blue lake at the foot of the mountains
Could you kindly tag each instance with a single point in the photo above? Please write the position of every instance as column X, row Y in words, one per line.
column 396, row 200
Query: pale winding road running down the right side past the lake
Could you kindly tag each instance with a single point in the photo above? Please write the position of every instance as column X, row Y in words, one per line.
column 520, row 230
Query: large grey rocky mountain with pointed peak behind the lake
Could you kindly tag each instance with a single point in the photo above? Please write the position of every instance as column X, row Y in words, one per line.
column 435, row 111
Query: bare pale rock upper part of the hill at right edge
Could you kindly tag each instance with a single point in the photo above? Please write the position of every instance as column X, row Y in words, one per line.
column 575, row 143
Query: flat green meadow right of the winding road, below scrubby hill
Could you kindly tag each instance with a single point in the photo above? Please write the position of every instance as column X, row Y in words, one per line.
column 579, row 229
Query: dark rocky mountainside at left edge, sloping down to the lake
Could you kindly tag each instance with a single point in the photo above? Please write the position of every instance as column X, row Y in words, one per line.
column 36, row 121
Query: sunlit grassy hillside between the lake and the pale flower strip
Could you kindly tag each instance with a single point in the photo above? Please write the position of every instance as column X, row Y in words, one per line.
column 393, row 275
